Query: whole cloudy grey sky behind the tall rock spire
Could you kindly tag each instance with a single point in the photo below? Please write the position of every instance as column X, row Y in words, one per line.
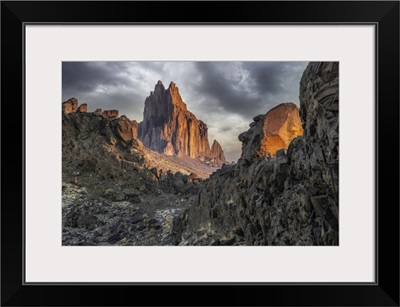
column 225, row 95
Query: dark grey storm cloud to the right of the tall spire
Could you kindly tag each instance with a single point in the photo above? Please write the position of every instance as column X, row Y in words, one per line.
column 249, row 88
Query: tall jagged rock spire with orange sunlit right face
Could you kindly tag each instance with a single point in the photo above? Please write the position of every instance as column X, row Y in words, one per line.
column 168, row 127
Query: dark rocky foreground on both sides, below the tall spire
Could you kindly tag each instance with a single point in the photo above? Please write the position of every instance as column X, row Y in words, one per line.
column 115, row 192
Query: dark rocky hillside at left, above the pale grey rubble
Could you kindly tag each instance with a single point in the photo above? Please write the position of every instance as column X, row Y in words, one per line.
column 92, row 145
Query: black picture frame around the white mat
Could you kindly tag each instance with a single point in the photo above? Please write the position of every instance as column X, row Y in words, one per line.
column 383, row 14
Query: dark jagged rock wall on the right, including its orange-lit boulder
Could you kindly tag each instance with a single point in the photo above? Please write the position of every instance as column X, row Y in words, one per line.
column 290, row 198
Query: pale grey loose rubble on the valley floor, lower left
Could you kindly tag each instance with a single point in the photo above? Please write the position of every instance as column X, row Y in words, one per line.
column 102, row 222
